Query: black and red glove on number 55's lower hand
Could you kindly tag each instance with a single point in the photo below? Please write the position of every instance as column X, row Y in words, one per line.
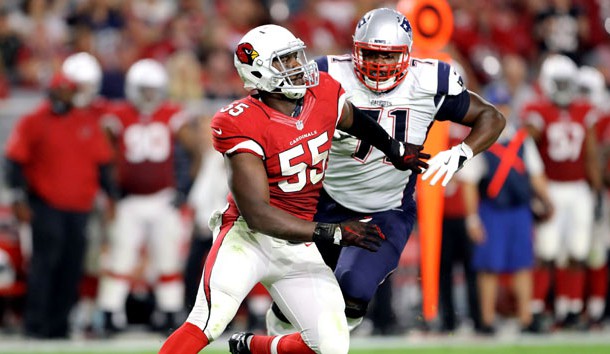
column 357, row 233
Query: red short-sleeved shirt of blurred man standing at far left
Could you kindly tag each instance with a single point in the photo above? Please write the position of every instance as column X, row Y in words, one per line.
column 61, row 155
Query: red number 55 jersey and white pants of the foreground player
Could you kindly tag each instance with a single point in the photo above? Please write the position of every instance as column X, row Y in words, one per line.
column 294, row 151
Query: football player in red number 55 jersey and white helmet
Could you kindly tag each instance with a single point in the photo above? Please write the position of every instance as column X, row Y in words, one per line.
column 276, row 144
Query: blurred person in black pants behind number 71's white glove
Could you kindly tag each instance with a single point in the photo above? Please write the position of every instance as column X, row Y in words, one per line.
column 456, row 247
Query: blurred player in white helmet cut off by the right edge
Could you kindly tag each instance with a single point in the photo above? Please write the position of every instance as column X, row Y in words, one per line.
column 592, row 86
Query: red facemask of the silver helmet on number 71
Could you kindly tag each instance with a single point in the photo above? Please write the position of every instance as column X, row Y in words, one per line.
column 380, row 75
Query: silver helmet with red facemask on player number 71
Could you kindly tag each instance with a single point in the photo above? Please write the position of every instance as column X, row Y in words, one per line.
column 382, row 30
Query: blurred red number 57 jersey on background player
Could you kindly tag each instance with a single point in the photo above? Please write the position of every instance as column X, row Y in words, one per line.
column 562, row 143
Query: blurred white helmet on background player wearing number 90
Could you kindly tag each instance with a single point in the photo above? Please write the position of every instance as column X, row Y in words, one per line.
column 146, row 85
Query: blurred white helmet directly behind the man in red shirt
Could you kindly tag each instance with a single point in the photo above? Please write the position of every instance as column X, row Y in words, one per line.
column 84, row 69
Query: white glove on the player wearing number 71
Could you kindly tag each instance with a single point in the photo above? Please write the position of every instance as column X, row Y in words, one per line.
column 447, row 163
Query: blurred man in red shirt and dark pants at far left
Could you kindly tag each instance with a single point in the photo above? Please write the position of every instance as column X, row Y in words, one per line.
column 56, row 156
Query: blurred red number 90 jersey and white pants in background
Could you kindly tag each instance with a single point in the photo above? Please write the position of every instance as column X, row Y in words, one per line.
column 145, row 215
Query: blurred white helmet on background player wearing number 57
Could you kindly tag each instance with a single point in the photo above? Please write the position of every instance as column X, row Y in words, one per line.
column 558, row 79
